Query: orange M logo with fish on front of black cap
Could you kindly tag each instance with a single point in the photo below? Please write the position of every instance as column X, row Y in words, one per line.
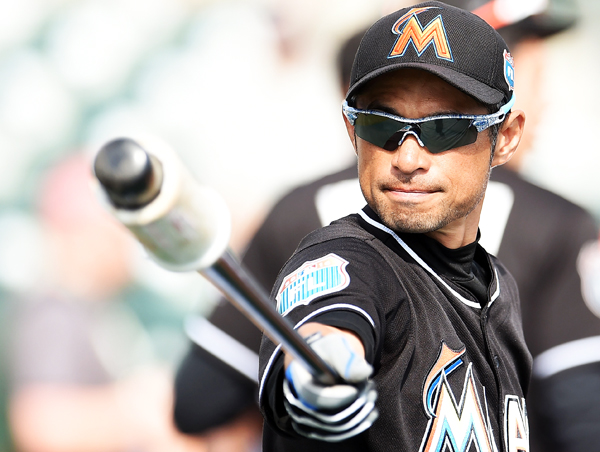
column 410, row 30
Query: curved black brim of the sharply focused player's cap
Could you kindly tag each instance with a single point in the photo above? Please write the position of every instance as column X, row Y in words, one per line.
column 468, row 85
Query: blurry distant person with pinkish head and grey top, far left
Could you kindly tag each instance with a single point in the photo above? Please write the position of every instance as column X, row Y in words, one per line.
column 83, row 373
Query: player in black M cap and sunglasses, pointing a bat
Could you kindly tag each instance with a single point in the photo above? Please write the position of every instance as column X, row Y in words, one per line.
column 420, row 323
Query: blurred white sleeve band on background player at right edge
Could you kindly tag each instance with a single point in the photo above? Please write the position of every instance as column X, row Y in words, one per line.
column 566, row 356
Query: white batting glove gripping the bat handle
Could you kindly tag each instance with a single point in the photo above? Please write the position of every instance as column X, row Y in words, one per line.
column 331, row 412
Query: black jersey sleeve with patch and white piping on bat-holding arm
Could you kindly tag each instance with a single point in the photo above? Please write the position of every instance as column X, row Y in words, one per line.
column 343, row 283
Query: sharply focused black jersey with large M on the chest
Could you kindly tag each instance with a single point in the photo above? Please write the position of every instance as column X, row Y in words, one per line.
column 441, row 327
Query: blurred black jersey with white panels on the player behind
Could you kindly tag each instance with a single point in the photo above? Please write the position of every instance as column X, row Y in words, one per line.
column 548, row 244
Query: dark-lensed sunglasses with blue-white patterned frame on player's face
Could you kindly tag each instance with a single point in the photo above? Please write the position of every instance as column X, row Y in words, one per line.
column 436, row 133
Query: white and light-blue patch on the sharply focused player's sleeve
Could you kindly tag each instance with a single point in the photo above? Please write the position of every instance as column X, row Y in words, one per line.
column 313, row 279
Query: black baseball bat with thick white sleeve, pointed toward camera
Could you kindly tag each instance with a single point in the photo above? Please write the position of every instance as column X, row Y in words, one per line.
column 186, row 227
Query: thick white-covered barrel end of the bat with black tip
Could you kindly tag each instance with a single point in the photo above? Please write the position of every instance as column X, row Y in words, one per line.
column 183, row 226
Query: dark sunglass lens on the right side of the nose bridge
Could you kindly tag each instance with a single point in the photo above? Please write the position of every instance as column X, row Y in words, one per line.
column 443, row 134
